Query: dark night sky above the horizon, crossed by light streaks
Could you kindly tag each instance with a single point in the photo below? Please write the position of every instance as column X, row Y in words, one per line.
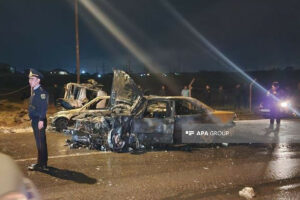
column 254, row 34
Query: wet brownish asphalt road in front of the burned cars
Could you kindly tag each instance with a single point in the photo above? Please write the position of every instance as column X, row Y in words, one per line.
column 206, row 172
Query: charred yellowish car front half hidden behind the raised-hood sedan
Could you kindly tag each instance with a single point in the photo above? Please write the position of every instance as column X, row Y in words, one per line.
column 62, row 119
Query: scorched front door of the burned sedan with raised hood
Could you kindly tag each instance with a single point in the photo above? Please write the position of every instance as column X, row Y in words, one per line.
column 156, row 124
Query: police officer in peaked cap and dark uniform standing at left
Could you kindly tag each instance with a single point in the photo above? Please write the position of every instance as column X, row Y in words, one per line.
column 38, row 106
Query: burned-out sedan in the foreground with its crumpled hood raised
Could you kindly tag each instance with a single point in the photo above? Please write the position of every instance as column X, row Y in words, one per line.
column 136, row 121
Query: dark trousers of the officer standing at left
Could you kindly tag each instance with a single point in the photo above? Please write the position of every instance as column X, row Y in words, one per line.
column 41, row 141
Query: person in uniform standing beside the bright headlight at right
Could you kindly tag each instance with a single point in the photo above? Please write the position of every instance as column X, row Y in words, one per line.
column 272, row 94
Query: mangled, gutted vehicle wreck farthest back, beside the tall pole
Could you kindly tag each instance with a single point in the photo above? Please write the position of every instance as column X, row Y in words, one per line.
column 76, row 95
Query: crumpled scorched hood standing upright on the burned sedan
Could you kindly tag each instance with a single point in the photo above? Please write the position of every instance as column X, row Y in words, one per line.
column 124, row 91
